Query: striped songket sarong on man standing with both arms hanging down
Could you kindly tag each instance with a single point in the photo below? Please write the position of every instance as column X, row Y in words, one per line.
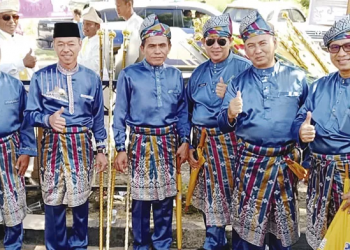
column 152, row 161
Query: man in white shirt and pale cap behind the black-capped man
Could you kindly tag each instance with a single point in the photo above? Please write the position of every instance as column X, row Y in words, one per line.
column 89, row 55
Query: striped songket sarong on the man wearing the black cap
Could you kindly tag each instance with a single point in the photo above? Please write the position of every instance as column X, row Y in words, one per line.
column 66, row 166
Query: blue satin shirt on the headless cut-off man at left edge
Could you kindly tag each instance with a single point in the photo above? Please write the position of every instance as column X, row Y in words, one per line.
column 14, row 97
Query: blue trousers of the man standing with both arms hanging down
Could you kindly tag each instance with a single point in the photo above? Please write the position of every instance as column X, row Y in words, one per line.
column 162, row 217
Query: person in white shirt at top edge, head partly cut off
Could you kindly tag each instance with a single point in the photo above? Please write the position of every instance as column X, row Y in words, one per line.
column 133, row 23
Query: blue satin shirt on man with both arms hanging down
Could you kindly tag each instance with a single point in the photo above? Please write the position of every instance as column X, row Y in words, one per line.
column 150, row 96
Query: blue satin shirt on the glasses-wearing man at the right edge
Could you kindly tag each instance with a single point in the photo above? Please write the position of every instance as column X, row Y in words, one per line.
column 329, row 103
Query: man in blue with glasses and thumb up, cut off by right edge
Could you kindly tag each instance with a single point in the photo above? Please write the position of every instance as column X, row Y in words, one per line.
column 324, row 123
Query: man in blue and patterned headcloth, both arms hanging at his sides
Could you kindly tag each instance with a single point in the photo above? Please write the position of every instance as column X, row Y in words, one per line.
column 151, row 100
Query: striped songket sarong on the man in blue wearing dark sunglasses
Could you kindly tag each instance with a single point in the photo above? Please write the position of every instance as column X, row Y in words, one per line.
column 213, row 192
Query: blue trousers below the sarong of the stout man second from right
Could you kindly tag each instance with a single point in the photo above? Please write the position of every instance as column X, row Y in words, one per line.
column 270, row 240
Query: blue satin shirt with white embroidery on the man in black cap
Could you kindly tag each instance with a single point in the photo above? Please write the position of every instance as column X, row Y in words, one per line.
column 79, row 91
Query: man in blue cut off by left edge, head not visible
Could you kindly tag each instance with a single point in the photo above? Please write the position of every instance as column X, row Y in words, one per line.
column 17, row 143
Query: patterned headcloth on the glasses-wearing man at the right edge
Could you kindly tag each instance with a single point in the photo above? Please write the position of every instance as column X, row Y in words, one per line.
column 340, row 30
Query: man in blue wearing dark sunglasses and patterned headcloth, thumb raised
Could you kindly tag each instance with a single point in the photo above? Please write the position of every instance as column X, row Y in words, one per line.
column 205, row 92
